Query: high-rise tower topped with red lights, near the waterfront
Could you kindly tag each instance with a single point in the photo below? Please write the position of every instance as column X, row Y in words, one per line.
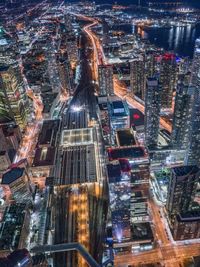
column 167, row 79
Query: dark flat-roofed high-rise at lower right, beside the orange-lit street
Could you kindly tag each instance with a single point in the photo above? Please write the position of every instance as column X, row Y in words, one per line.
column 182, row 190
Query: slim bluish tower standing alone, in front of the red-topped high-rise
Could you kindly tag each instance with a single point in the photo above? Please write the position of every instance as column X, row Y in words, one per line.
column 152, row 111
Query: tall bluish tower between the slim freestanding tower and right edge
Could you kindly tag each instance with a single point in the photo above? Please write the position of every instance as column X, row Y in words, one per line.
column 182, row 116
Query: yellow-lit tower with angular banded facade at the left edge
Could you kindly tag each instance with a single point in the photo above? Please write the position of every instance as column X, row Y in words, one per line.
column 13, row 99
